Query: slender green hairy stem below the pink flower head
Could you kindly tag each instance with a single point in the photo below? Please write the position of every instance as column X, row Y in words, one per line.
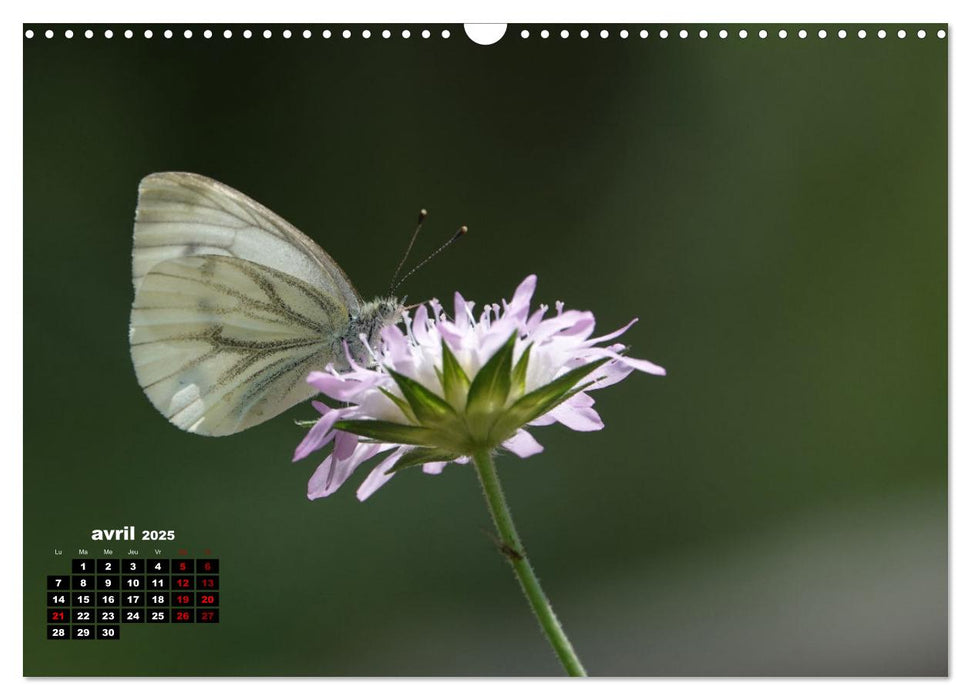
column 512, row 548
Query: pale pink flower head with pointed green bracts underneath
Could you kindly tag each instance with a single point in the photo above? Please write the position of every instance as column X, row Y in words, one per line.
column 444, row 388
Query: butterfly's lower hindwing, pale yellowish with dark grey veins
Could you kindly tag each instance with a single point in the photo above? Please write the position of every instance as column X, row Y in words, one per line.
column 221, row 344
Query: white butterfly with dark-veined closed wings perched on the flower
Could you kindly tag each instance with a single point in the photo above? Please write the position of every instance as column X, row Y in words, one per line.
column 234, row 306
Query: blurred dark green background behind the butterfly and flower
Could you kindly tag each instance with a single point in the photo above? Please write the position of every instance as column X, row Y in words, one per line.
column 774, row 212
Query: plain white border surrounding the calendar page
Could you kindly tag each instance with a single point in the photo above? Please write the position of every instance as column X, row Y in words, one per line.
column 521, row 11
